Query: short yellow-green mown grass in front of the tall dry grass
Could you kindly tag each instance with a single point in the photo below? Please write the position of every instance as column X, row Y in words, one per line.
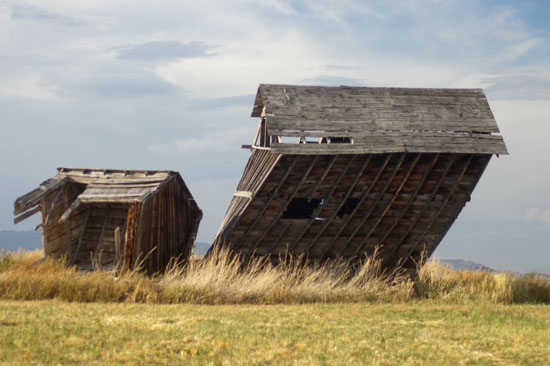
column 414, row 333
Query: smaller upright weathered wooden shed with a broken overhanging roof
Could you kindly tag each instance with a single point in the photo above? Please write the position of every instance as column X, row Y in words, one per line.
column 106, row 218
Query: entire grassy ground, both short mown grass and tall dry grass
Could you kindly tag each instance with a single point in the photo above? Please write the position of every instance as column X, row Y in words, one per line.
column 216, row 312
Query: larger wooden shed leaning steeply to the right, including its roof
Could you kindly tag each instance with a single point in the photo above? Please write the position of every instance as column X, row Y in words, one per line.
column 340, row 171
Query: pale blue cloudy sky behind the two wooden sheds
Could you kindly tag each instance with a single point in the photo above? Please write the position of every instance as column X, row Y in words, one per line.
column 170, row 85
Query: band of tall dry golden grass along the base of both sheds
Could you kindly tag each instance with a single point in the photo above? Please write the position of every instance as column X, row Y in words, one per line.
column 221, row 279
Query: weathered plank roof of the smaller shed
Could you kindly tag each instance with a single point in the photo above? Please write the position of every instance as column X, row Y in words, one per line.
column 102, row 185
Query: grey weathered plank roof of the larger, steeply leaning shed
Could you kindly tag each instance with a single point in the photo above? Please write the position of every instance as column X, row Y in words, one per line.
column 376, row 120
